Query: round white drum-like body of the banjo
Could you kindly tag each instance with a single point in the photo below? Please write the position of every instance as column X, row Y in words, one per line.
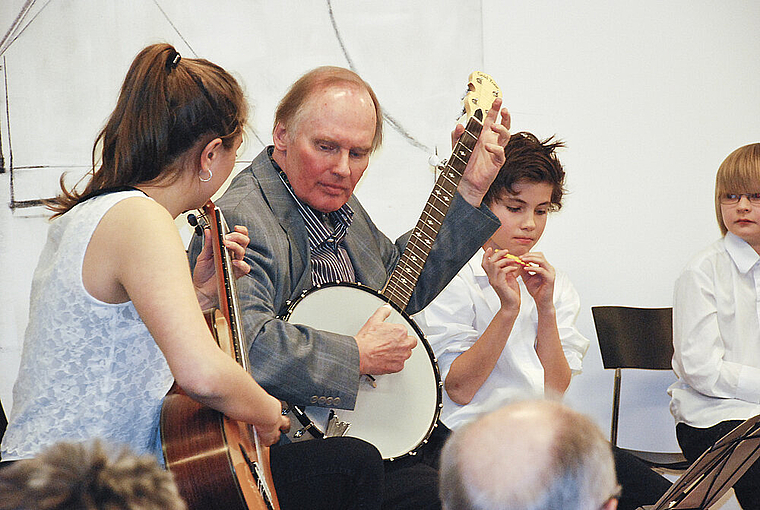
column 397, row 414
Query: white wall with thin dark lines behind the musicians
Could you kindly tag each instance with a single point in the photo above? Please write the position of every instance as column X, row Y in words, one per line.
column 650, row 96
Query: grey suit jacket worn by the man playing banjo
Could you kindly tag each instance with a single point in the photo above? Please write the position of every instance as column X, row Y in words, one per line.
column 296, row 363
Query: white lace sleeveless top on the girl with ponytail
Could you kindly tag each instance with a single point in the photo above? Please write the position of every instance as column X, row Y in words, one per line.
column 88, row 368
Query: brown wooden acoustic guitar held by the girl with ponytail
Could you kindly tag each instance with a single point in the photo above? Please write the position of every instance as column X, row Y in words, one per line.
column 217, row 462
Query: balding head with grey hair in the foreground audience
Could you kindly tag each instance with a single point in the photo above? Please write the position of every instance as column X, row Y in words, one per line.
column 528, row 456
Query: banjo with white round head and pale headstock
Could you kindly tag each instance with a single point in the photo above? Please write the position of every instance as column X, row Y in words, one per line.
column 394, row 412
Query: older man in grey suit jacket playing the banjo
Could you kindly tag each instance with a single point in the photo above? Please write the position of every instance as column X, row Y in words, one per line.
column 307, row 227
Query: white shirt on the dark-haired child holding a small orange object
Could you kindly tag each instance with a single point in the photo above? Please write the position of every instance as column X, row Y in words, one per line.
column 462, row 312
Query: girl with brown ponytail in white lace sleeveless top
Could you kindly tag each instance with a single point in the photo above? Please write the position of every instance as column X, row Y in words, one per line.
column 115, row 315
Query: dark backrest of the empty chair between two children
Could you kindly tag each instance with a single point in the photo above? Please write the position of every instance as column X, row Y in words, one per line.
column 632, row 337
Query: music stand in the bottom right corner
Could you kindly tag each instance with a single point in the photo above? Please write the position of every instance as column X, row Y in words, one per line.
column 715, row 471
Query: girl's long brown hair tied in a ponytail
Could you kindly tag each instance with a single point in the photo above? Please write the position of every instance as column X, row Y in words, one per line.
column 166, row 105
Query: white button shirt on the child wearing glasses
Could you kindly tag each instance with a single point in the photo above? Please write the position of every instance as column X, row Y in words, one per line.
column 716, row 336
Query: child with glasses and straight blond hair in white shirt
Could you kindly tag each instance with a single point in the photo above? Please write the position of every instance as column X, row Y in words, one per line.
column 716, row 326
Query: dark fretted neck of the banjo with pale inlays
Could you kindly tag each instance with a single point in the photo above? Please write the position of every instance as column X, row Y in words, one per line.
column 404, row 278
